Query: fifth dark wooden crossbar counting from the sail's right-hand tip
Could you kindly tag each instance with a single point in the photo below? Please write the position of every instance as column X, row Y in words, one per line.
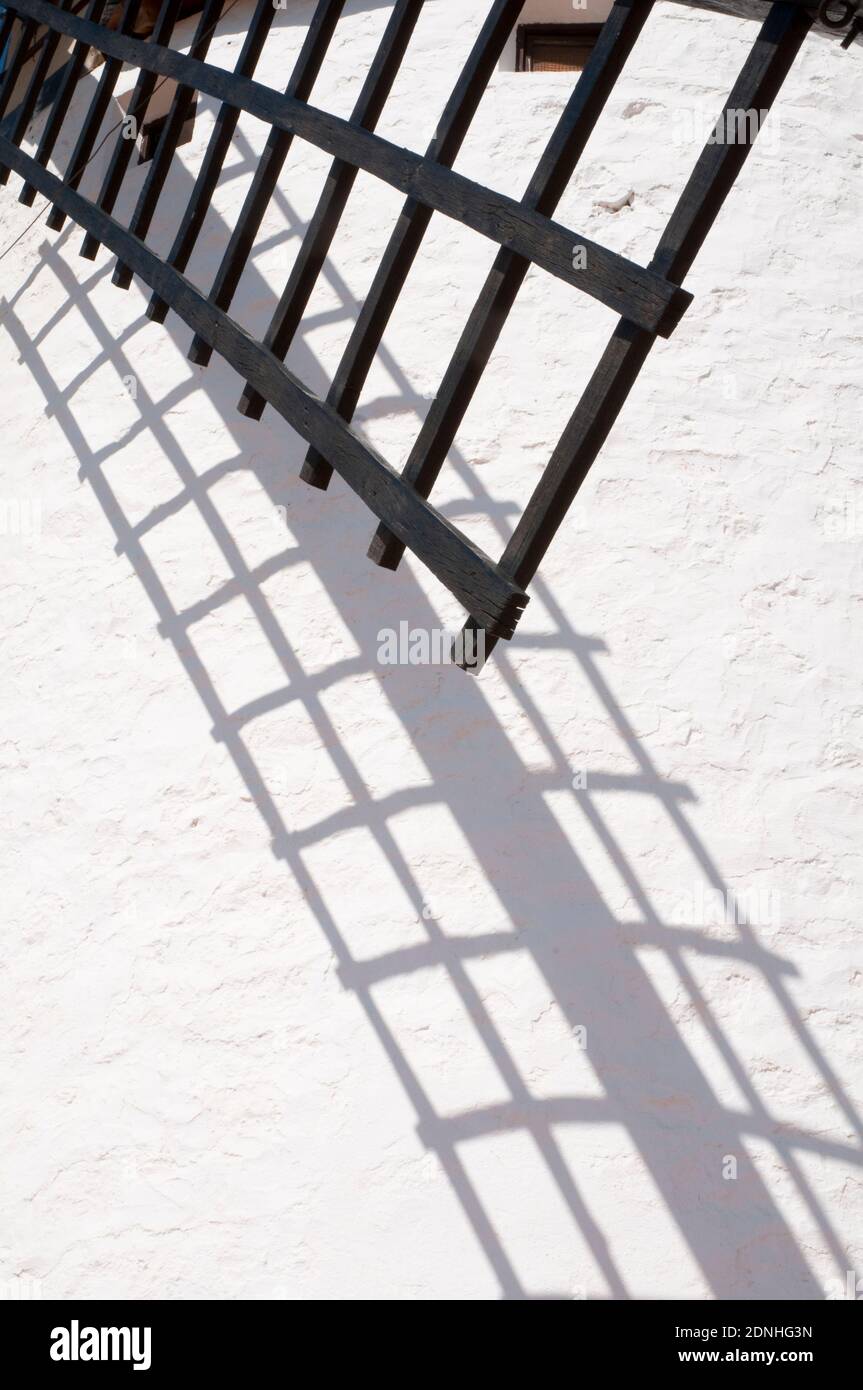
column 308, row 67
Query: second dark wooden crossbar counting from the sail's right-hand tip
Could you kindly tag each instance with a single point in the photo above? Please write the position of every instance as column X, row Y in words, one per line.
column 508, row 275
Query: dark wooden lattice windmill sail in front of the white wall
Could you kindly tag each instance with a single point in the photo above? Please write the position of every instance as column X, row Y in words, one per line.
column 650, row 300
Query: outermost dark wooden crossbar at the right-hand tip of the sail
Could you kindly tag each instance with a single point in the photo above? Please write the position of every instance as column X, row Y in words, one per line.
column 605, row 395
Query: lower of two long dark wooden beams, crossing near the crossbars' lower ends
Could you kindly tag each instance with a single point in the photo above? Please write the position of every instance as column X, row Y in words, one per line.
column 470, row 575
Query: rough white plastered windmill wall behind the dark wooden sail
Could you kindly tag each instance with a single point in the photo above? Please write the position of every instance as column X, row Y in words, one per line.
column 329, row 981
